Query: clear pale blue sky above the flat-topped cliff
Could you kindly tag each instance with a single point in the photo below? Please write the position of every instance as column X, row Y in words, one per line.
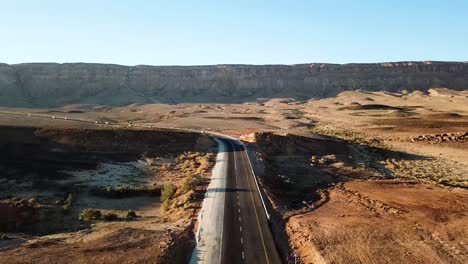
column 177, row 32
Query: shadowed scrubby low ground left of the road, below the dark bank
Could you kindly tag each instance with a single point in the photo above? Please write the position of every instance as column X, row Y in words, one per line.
column 100, row 195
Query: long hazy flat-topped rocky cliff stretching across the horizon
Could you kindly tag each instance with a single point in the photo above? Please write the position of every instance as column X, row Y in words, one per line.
column 50, row 84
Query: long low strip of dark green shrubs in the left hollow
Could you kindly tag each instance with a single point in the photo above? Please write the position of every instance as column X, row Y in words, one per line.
column 127, row 191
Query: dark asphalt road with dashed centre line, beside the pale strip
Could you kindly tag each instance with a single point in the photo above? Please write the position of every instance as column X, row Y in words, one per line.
column 246, row 233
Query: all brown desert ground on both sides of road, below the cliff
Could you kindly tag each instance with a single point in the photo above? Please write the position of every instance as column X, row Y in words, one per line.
column 362, row 177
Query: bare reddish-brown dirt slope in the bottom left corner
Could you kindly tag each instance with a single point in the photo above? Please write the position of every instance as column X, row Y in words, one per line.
column 149, row 239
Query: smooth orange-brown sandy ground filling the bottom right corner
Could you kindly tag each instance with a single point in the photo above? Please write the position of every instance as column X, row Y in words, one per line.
column 384, row 222
